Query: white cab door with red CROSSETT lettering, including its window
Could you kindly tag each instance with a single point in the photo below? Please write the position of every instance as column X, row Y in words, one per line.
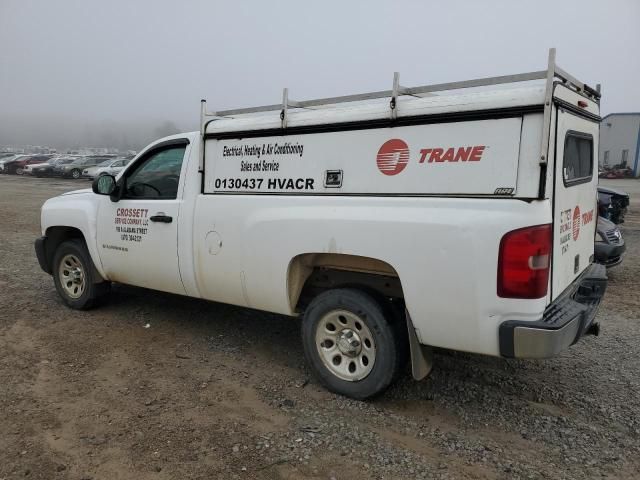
column 138, row 235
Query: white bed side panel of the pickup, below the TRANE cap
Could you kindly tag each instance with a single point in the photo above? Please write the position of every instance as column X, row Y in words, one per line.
column 444, row 250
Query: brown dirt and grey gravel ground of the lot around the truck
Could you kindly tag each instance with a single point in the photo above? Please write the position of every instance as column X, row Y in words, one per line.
column 214, row 391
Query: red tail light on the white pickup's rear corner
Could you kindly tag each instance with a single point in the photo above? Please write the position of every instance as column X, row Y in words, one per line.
column 523, row 262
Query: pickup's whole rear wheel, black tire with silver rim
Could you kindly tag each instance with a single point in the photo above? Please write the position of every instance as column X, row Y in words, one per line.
column 369, row 359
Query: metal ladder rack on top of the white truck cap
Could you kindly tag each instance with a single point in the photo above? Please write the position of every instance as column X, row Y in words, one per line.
column 552, row 73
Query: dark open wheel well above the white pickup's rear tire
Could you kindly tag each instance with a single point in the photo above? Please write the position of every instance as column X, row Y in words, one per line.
column 312, row 273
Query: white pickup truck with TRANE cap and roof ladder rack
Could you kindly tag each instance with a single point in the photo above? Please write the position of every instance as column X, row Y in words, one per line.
column 459, row 216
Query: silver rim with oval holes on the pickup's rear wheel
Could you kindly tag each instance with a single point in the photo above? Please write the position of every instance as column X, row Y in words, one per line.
column 345, row 345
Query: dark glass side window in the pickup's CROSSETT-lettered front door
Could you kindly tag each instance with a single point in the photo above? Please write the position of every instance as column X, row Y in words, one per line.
column 157, row 176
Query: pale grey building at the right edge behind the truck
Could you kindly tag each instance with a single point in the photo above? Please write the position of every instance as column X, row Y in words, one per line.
column 620, row 141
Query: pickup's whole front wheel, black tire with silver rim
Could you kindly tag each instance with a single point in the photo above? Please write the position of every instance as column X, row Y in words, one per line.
column 74, row 277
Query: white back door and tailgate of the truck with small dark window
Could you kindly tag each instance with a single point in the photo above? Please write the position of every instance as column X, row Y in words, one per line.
column 575, row 193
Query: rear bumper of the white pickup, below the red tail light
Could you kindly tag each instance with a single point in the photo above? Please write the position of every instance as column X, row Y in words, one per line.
column 564, row 321
